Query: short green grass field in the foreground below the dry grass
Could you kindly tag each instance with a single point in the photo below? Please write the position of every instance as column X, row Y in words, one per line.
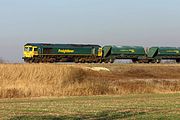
column 140, row 106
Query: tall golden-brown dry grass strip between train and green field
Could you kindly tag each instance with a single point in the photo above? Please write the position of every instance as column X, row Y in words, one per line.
column 34, row 80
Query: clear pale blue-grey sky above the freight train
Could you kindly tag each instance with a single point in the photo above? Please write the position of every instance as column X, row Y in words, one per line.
column 104, row 22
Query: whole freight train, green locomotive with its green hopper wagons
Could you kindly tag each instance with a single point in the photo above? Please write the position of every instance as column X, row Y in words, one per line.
column 85, row 53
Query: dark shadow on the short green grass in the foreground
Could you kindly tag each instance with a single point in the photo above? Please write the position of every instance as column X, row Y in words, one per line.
column 105, row 115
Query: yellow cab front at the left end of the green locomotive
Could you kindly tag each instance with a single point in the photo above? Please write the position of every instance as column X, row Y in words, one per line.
column 30, row 51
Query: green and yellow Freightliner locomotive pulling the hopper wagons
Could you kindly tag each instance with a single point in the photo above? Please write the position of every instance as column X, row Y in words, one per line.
column 40, row 52
